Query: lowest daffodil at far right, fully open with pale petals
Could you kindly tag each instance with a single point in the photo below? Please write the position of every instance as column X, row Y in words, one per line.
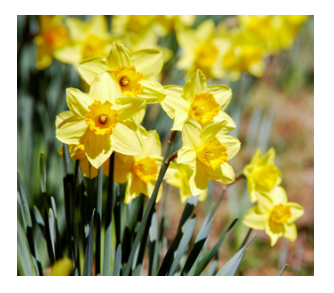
column 275, row 215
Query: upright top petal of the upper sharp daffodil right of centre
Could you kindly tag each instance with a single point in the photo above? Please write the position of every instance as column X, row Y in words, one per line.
column 195, row 85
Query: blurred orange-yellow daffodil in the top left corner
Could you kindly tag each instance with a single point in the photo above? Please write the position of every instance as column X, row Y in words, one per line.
column 53, row 36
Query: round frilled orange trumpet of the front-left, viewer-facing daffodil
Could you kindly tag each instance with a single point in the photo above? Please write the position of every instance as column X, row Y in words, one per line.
column 101, row 118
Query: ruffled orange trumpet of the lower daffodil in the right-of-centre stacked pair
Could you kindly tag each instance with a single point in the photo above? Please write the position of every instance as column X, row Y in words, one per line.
column 212, row 154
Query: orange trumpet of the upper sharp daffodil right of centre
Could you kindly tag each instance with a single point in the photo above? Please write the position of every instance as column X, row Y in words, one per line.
column 204, row 107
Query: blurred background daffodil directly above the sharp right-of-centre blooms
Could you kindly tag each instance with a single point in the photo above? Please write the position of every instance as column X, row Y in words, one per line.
column 201, row 49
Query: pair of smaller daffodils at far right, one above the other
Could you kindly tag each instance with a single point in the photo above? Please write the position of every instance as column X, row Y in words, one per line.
column 273, row 213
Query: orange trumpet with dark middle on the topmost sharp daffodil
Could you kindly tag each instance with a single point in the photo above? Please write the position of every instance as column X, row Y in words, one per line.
column 128, row 78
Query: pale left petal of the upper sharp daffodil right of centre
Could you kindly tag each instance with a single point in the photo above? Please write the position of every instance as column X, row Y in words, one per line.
column 174, row 100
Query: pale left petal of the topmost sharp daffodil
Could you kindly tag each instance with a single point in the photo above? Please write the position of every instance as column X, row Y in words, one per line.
column 90, row 68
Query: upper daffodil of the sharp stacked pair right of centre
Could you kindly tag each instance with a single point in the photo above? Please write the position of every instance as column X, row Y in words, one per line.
column 198, row 101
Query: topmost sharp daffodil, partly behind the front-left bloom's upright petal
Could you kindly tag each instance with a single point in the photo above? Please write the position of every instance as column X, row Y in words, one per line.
column 132, row 72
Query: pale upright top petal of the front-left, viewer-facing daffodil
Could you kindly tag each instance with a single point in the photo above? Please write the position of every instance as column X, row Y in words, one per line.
column 105, row 88
